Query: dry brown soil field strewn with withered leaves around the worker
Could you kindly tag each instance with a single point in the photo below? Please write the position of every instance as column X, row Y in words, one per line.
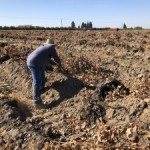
column 101, row 101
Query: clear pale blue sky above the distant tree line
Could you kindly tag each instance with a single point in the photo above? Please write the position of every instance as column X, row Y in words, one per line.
column 56, row 13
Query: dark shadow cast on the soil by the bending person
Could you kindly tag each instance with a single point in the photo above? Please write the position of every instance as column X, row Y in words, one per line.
column 67, row 89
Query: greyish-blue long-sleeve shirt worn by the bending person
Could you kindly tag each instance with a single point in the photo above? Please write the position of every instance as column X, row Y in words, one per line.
column 42, row 55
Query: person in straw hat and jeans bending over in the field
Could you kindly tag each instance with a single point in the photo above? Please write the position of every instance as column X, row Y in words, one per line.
column 37, row 62
